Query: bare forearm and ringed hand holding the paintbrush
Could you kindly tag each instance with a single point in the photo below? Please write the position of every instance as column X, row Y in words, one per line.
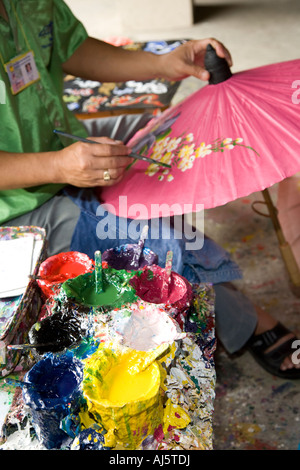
column 80, row 164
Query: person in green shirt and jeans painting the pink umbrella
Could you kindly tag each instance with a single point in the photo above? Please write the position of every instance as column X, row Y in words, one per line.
column 47, row 182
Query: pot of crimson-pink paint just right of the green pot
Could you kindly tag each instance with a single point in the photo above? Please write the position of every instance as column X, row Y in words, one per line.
column 149, row 286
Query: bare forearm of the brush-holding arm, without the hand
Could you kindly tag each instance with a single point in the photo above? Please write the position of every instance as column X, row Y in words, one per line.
column 24, row 170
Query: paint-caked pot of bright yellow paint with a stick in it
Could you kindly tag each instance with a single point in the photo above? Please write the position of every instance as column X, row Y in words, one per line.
column 122, row 388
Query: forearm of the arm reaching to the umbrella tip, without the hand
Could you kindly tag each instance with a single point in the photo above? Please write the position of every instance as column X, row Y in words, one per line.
column 97, row 60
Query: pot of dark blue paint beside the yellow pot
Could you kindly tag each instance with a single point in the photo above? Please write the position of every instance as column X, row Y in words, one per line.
column 55, row 392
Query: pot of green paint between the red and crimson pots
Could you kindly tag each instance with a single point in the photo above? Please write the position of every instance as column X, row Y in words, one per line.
column 116, row 290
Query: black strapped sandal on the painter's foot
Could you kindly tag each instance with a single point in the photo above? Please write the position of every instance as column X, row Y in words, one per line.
column 272, row 360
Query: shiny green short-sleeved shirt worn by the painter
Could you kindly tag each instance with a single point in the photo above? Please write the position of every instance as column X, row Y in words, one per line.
column 28, row 118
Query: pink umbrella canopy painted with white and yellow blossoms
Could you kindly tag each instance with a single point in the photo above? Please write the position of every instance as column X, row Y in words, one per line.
column 223, row 142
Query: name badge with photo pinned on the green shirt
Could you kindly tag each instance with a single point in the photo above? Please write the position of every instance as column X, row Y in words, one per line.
column 22, row 72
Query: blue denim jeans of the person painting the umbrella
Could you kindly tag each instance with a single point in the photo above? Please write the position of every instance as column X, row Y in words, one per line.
column 210, row 264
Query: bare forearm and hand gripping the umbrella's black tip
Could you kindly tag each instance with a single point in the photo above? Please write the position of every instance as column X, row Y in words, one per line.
column 97, row 60
